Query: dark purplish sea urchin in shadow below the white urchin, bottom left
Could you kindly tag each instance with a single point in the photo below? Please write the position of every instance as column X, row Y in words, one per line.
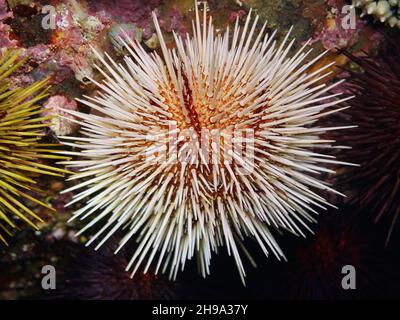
column 89, row 275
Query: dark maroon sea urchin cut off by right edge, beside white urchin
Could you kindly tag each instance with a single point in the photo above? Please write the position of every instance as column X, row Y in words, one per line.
column 376, row 142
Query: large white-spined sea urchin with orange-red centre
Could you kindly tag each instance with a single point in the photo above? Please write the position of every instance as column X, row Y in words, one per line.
column 153, row 167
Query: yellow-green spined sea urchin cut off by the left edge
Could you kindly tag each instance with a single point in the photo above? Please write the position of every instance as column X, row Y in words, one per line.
column 21, row 149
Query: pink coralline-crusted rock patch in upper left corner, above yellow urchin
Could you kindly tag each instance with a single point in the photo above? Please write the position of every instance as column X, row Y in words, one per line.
column 68, row 50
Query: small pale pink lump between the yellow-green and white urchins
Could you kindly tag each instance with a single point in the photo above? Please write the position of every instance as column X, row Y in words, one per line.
column 59, row 124
